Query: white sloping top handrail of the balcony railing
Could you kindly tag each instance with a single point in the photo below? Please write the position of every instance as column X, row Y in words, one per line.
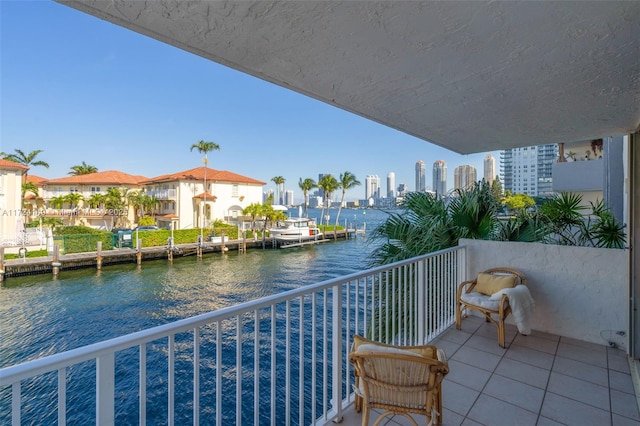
column 31, row 368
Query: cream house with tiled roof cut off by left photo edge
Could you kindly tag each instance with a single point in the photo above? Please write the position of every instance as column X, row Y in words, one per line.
column 12, row 218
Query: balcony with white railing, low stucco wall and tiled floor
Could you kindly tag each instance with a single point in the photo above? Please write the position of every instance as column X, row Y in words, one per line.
column 283, row 359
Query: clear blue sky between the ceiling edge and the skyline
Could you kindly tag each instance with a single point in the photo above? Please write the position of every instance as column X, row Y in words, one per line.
column 82, row 89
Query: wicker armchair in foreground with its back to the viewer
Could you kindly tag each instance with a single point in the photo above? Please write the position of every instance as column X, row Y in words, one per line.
column 401, row 380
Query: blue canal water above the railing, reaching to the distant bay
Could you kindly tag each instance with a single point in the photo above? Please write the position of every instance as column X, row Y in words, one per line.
column 40, row 316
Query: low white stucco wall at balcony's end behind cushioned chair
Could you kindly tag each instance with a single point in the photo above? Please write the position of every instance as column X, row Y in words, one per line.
column 580, row 292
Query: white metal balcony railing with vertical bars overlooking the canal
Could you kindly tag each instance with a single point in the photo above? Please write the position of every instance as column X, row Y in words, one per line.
column 278, row 360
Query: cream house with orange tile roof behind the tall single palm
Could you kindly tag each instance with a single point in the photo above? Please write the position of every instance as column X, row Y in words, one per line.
column 195, row 198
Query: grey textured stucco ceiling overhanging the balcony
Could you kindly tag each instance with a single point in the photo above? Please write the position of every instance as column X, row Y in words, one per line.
column 468, row 76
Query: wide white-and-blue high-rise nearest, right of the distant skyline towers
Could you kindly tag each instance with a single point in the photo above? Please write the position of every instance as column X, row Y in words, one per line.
column 528, row 170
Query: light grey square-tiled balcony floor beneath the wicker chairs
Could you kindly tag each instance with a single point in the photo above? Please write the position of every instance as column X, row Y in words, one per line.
column 540, row 379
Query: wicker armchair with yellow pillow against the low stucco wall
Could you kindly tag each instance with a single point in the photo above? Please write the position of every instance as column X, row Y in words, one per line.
column 494, row 310
